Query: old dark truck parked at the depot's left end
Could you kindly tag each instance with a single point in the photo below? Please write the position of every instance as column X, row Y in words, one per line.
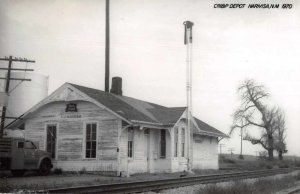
column 19, row 155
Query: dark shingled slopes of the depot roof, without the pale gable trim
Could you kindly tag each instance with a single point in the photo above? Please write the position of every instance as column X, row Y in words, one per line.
column 137, row 110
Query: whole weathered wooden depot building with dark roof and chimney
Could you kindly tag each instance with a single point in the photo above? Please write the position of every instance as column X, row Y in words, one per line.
column 92, row 130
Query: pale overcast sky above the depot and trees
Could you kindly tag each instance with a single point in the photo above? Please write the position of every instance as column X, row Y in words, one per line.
column 67, row 39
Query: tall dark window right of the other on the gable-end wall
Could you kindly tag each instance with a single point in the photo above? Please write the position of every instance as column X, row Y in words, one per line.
column 91, row 140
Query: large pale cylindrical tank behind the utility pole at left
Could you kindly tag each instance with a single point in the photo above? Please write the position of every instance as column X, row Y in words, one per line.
column 25, row 94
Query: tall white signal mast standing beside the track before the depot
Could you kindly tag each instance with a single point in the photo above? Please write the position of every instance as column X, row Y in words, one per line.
column 188, row 40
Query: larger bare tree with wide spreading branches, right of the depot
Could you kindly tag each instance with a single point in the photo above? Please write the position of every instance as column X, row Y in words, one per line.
column 253, row 111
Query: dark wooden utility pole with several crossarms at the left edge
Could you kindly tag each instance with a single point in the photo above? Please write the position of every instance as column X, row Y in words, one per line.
column 10, row 60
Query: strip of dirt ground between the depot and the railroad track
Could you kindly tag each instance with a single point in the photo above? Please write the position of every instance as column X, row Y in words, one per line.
column 31, row 181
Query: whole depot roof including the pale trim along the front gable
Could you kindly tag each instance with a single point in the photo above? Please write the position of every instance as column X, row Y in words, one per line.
column 131, row 110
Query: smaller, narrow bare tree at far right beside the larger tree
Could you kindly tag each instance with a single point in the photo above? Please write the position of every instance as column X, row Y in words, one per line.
column 280, row 134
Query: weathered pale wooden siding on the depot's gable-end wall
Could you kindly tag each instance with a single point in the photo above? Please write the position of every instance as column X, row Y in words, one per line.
column 71, row 134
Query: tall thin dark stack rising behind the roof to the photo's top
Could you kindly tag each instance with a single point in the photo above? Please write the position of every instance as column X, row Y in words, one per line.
column 107, row 48
